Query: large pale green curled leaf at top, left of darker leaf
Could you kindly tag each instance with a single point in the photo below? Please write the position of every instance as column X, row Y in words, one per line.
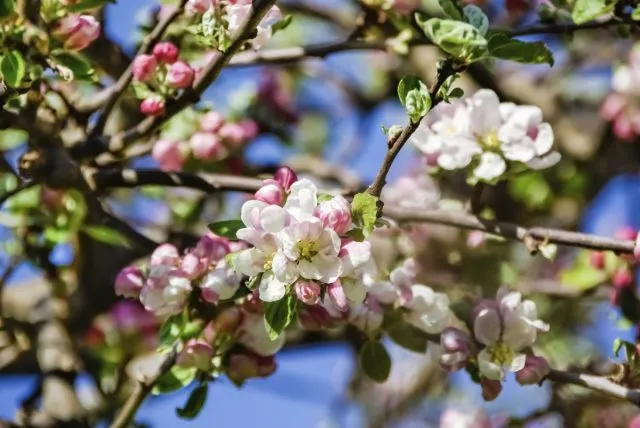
column 461, row 40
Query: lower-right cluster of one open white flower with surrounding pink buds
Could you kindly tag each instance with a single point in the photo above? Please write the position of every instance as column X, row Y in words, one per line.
column 504, row 330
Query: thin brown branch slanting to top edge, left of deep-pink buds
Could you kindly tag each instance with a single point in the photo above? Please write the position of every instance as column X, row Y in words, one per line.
column 125, row 79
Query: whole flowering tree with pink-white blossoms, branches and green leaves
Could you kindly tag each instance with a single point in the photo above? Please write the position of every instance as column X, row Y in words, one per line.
column 311, row 254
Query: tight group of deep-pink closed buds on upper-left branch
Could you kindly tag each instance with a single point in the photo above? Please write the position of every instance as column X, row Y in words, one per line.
column 163, row 72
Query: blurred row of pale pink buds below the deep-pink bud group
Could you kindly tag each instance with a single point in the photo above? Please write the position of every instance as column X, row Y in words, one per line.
column 213, row 141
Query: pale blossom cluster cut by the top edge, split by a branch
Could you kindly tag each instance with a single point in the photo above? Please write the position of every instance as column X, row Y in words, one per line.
column 222, row 21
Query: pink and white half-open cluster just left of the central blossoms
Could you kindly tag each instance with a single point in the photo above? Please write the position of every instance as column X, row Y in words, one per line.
column 170, row 278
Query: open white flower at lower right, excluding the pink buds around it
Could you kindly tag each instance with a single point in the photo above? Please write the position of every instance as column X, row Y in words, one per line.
column 506, row 328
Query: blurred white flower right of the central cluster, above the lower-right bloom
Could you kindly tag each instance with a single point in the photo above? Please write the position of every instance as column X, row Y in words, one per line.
column 429, row 311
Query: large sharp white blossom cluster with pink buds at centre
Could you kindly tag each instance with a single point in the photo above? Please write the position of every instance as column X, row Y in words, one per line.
column 300, row 243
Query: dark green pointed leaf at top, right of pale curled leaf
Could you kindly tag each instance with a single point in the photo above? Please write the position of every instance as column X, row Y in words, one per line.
column 504, row 47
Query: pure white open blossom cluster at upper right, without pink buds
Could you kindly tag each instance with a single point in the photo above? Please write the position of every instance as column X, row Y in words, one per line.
column 485, row 137
